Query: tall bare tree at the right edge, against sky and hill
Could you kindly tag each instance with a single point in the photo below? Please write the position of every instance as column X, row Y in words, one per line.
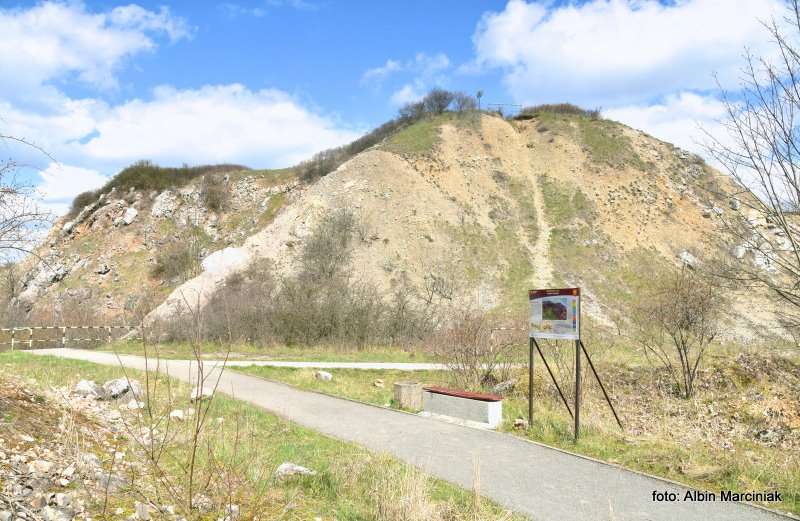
column 760, row 149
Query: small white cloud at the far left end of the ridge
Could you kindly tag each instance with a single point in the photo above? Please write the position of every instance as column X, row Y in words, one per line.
column 59, row 184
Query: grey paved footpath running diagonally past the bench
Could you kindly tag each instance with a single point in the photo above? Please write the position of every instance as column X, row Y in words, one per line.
column 541, row 482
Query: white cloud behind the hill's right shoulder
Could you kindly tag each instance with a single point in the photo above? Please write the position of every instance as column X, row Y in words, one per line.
column 681, row 119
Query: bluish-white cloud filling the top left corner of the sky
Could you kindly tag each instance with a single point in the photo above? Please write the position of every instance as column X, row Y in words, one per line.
column 54, row 40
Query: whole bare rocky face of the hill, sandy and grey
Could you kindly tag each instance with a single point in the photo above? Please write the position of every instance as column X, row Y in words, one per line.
column 487, row 206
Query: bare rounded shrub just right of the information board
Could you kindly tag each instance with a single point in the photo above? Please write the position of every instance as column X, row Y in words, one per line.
column 677, row 323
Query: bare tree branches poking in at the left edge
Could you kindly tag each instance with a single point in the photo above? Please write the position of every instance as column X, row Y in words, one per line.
column 21, row 219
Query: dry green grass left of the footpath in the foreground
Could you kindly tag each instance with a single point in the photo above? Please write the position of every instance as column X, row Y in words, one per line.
column 240, row 453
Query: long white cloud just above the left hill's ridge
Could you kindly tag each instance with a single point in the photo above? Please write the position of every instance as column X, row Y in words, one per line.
column 219, row 123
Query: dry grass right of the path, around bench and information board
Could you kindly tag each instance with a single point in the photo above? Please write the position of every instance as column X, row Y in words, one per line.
column 741, row 431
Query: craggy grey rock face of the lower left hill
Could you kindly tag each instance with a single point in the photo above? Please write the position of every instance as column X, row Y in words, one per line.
column 102, row 260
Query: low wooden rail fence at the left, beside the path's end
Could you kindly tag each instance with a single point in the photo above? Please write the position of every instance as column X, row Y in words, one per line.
column 41, row 337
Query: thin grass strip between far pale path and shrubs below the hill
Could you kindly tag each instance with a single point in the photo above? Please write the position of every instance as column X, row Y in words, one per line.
column 180, row 350
